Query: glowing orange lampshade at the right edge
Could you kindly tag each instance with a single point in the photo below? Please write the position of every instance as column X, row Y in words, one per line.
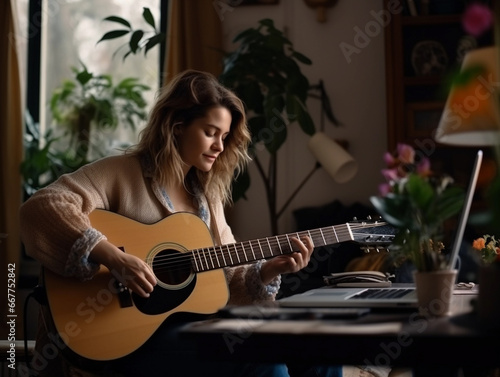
column 471, row 114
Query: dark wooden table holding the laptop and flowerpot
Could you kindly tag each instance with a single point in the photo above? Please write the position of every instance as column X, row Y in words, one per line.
column 396, row 338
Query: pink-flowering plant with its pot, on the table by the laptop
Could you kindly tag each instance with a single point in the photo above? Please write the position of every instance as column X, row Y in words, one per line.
column 417, row 203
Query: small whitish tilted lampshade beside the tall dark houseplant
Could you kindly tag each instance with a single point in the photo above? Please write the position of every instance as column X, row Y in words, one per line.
column 339, row 164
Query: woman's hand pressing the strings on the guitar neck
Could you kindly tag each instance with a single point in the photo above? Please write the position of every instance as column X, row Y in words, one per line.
column 283, row 264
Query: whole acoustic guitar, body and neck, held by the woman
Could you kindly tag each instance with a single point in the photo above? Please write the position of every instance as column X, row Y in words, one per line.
column 100, row 319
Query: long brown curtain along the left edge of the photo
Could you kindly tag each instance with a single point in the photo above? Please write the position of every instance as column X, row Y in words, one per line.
column 11, row 151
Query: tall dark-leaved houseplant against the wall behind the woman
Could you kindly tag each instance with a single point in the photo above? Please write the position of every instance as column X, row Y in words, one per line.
column 265, row 72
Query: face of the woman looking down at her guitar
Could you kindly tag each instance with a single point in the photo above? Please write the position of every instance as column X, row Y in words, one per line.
column 201, row 142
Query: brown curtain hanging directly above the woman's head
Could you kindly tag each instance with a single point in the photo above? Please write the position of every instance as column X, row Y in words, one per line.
column 194, row 38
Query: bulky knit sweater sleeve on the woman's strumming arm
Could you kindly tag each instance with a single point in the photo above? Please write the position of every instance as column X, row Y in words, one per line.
column 55, row 228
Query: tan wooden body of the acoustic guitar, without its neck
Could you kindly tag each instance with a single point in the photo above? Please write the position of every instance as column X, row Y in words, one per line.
column 101, row 320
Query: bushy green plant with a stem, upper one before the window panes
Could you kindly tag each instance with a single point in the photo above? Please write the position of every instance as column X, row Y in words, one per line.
column 94, row 100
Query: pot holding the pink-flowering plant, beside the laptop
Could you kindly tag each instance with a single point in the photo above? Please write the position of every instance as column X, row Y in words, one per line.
column 434, row 291
